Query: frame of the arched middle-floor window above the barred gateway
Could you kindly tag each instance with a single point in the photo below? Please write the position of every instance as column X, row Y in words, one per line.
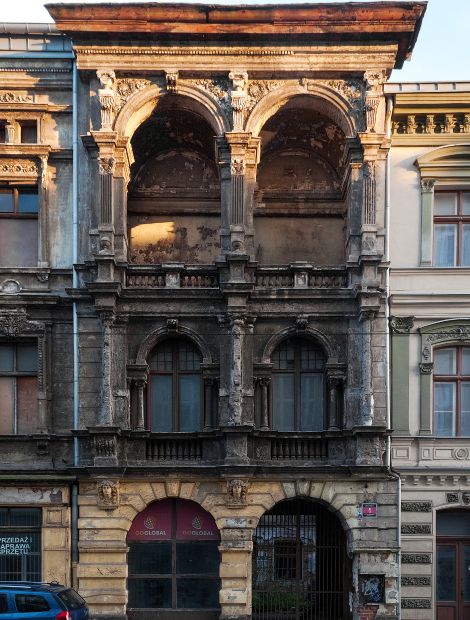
column 297, row 373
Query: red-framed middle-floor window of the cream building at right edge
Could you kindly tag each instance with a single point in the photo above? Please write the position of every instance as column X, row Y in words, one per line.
column 452, row 391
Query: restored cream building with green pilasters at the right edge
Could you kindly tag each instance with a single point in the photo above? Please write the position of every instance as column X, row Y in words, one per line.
column 430, row 324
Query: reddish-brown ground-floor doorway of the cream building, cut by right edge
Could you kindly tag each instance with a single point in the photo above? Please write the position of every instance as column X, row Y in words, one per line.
column 453, row 565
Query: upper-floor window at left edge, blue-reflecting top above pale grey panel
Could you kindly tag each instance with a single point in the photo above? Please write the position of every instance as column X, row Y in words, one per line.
column 19, row 208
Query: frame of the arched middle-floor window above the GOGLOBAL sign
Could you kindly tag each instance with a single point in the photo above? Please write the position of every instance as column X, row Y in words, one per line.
column 175, row 373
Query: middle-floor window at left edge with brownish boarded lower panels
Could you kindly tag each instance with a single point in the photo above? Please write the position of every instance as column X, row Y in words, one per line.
column 18, row 388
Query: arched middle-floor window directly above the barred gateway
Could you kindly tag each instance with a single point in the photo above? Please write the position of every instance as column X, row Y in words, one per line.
column 298, row 393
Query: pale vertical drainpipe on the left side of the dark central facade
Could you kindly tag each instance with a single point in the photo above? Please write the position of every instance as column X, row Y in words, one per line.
column 74, row 494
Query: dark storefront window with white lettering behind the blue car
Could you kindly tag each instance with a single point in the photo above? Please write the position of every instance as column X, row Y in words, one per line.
column 20, row 544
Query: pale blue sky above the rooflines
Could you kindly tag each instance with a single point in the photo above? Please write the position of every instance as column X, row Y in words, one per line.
column 442, row 52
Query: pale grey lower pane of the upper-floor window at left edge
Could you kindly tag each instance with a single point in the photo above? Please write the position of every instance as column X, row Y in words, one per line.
column 18, row 242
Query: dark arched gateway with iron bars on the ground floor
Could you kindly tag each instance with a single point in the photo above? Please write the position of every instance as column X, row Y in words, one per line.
column 300, row 567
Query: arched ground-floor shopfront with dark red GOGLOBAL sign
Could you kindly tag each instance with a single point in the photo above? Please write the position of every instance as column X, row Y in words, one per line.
column 173, row 562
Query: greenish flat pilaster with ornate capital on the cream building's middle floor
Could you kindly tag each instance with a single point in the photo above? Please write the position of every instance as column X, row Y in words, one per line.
column 400, row 344
